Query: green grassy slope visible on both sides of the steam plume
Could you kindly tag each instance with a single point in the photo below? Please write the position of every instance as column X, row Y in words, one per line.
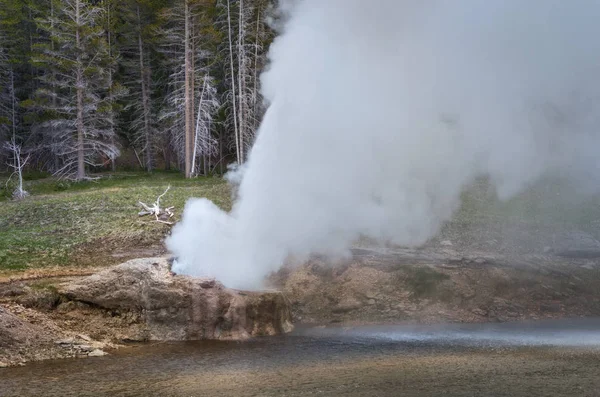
column 82, row 224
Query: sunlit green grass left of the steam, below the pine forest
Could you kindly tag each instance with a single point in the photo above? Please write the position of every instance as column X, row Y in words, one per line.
column 61, row 222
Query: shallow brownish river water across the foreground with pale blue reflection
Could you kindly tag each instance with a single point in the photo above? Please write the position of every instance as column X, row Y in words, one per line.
column 557, row 358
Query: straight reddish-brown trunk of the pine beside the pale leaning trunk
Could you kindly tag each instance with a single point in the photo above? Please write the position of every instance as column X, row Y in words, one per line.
column 189, row 117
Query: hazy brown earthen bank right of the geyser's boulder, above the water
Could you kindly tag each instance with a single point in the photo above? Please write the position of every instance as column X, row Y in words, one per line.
column 428, row 286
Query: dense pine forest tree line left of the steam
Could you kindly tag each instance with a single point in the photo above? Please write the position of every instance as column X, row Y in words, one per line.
column 173, row 83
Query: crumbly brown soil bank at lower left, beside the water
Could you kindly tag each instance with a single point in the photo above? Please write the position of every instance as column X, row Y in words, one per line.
column 37, row 324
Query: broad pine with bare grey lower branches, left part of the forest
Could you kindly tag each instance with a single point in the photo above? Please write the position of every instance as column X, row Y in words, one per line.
column 76, row 87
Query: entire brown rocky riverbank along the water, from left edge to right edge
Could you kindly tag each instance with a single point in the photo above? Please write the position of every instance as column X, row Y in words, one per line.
column 443, row 282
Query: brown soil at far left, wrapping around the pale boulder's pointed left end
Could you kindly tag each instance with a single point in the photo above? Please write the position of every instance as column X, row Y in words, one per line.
column 37, row 324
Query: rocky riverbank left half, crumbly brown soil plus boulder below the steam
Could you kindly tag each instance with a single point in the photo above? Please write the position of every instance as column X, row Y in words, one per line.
column 138, row 301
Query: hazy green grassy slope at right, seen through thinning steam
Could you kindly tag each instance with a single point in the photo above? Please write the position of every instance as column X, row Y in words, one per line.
column 529, row 220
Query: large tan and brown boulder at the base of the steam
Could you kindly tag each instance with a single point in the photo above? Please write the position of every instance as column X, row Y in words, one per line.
column 174, row 307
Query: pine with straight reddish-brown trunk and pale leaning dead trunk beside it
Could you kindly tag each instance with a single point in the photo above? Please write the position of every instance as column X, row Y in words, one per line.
column 189, row 62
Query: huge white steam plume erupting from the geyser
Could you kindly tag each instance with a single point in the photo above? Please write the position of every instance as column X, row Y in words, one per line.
column 381, row 112
